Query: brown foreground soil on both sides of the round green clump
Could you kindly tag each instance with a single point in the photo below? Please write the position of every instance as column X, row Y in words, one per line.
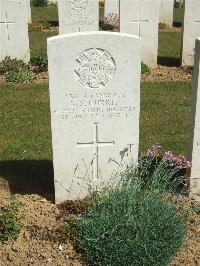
column 41, row 241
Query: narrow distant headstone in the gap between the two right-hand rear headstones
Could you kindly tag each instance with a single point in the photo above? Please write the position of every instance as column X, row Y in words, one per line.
column 166, row 12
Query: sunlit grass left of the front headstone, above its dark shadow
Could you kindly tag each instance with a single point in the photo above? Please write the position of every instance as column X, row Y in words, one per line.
column 25, row 122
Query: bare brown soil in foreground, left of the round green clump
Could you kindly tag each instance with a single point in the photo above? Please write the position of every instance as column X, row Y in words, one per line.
column 41, row 242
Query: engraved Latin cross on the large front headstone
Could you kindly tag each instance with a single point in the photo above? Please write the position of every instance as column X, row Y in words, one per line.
column 95, row 144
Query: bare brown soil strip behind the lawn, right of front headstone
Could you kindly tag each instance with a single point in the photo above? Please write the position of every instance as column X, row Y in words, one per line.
column 166, row 73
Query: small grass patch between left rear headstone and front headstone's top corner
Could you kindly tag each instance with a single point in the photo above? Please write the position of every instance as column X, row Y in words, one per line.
column 38, row 41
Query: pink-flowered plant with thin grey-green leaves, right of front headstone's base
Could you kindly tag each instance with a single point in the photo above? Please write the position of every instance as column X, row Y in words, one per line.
column 168, row 172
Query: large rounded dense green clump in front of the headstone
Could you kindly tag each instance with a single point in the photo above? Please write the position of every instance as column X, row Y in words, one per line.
column 126, row 227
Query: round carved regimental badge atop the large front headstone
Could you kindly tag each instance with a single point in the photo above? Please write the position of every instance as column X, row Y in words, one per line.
column 94, row 68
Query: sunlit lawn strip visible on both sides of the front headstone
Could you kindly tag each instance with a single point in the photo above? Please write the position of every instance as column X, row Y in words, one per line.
column 25, row 119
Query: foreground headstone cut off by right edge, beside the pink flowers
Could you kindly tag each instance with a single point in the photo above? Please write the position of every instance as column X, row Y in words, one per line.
column 194, row 148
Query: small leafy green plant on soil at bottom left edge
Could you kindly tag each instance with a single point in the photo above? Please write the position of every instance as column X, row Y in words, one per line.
column 10, row 220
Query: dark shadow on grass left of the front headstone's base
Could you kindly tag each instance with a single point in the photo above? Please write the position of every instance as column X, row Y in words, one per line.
column 29, row 177
